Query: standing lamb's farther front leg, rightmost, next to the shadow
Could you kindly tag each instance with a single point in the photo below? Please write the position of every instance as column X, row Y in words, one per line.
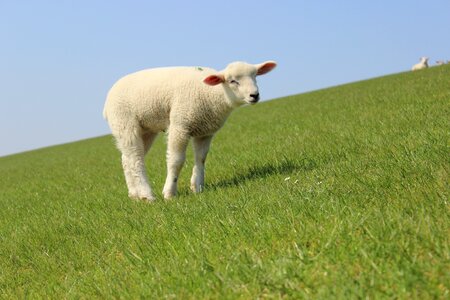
column 201, row 148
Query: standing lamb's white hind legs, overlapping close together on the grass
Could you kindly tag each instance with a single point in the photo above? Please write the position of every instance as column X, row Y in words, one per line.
column 133, row 148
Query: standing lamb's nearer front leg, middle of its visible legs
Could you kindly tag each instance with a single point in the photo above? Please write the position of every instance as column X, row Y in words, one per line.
column 176, row 155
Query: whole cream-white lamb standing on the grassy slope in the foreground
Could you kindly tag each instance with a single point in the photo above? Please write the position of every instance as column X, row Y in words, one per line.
column 185, row 102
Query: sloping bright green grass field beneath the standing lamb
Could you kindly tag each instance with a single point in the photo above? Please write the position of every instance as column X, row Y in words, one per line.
column 338, row 193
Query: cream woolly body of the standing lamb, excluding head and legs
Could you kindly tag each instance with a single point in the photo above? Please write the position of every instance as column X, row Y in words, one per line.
column 151, row 100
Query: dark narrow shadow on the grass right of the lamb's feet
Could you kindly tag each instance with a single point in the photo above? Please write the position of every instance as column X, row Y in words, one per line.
column 284, row 167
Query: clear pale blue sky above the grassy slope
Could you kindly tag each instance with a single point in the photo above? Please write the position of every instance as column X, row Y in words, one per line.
column 58, row 59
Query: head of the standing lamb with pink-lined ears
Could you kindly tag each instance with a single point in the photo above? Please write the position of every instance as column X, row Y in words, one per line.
column 239, row 80
